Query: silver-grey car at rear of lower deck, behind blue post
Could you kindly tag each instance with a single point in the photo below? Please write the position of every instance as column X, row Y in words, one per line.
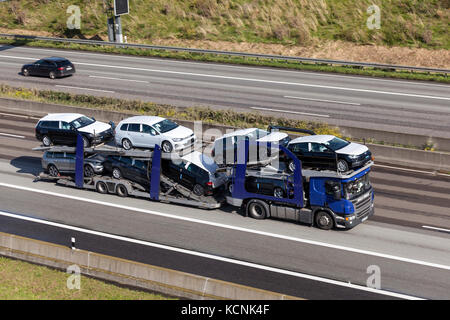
column 56, row 162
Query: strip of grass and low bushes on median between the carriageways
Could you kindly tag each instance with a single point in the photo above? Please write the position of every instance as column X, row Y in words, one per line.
column 205, row 114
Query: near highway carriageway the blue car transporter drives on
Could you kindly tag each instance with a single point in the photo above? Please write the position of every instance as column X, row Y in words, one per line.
column 275, row 255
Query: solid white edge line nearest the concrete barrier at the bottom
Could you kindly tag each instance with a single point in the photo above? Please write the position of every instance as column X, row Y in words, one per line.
column 210, row 256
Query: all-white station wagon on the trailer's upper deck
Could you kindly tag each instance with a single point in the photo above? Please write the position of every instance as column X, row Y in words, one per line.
column 148, row 131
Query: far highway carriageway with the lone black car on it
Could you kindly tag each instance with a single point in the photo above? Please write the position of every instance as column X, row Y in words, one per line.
column 394, row 105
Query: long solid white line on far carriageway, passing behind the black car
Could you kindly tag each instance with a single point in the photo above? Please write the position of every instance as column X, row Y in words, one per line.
column 255, row 80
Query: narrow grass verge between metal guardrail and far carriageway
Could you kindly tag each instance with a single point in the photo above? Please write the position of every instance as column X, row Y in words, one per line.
column 372, row 72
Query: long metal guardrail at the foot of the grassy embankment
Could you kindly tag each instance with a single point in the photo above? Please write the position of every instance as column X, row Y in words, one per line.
column 233, row 53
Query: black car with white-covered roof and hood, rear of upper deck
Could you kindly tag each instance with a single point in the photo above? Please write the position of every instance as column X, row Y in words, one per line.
column 63, row 128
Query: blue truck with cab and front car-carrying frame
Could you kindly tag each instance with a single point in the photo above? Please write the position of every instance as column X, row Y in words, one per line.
column 324, row 198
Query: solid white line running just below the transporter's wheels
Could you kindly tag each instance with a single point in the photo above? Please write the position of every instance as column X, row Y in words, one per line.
column 230, row 227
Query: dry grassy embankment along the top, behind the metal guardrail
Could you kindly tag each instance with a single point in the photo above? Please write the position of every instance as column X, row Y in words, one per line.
column 415, row 23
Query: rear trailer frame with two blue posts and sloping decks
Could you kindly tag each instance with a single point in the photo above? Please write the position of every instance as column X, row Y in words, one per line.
column 161, row 189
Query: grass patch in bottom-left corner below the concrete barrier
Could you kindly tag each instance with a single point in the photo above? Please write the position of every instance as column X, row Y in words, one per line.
column 25, row 281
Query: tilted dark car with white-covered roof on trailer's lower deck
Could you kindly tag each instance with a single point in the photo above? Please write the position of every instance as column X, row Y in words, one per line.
column 197, row 172
